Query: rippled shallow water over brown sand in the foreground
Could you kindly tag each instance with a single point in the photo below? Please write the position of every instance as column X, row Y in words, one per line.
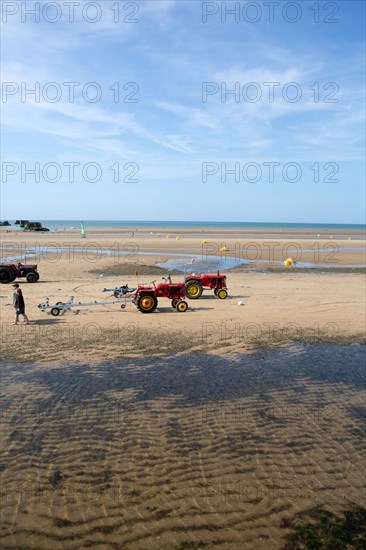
column 176, row 451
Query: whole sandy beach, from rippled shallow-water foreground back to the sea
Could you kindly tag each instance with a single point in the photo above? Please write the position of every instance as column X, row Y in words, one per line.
column 211, row 428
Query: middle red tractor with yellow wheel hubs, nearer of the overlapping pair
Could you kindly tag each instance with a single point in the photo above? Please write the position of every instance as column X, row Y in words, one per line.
column 146, row 296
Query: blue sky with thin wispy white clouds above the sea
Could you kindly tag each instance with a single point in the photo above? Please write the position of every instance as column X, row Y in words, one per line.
column 183, row 110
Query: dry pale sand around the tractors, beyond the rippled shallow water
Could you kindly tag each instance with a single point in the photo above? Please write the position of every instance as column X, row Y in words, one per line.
column 279, row 303
